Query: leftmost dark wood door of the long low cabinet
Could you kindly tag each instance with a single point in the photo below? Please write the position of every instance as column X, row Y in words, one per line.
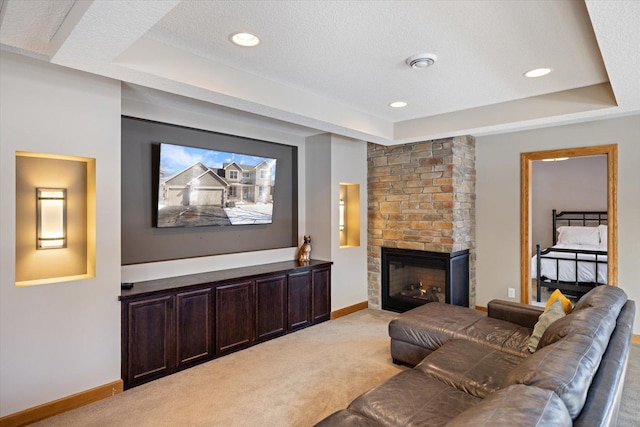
column 150, row 339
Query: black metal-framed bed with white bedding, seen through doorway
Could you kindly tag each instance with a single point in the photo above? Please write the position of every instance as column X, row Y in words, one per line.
column 577, row 261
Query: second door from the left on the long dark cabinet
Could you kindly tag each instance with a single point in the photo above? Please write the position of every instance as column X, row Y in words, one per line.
column 193, row 326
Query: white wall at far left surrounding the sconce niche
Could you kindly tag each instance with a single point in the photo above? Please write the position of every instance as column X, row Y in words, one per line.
column 64, row 338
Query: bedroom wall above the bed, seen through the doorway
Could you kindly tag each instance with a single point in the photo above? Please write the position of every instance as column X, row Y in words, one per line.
column 578, row 184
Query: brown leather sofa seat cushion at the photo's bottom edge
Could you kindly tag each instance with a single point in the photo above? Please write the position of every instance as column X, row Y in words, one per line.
column 412, row 398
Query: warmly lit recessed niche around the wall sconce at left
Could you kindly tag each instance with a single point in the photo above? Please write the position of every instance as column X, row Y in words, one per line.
column 76, row 261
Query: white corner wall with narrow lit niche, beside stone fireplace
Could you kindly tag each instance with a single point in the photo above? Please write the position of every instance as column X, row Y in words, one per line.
column 332, row 160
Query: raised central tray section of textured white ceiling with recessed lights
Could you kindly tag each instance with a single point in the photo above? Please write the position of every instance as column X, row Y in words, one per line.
column 329, row 49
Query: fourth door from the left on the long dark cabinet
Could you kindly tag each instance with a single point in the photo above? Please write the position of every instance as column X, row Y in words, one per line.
column 270, row 307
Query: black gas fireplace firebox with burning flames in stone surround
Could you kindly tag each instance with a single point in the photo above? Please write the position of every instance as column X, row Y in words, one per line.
column 411, row 278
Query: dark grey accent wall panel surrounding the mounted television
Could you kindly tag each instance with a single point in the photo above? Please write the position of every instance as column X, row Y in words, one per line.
column 143, row 242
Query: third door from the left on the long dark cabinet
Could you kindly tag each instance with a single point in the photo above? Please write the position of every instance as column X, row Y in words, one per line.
column 234, row 316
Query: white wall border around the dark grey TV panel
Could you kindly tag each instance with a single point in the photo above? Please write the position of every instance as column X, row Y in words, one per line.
column 195, row 115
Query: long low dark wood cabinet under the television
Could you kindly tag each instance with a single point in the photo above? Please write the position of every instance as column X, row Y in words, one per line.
column 174, row 323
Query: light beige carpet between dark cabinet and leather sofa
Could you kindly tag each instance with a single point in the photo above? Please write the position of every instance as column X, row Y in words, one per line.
column 295, row 380
